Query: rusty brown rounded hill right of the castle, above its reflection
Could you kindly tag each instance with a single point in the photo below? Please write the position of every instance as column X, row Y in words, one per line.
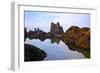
column 78, row 37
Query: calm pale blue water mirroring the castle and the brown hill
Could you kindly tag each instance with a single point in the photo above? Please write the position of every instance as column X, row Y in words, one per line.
column 56, row 49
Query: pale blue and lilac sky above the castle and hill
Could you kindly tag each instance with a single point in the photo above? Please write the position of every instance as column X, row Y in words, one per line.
column 43, row 20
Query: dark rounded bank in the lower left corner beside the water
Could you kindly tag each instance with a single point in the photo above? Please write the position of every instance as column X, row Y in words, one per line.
column 33, row 53
